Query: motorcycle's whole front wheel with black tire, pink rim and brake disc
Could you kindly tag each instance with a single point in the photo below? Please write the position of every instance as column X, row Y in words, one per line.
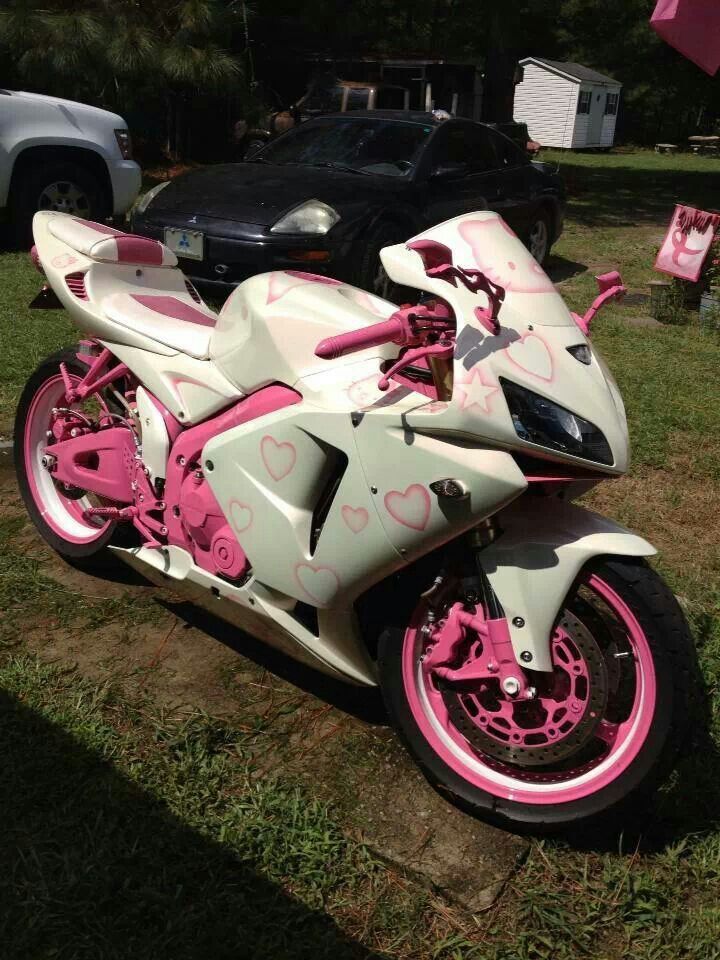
column 601, row 731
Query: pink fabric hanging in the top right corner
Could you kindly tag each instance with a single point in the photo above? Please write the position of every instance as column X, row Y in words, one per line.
column 693, row 28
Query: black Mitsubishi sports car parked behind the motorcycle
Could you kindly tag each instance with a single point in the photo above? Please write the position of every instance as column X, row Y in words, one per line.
column 329, row 194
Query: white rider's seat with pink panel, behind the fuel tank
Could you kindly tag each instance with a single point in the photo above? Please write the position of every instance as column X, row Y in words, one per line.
column 171, row 318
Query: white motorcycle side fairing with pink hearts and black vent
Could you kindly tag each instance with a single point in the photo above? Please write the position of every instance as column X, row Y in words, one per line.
column 325, row 503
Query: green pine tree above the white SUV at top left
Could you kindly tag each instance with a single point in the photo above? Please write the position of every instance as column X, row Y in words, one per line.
column 123, row 51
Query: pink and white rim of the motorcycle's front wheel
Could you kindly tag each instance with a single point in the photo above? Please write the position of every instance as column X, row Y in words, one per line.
column 536, row 787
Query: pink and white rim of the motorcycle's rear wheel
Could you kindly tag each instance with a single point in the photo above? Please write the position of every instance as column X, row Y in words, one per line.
column 63, row 515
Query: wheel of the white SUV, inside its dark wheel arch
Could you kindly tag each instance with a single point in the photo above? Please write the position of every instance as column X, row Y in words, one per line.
column 65, row 187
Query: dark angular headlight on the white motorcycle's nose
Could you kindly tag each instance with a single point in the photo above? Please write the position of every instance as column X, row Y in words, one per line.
column 538, row 420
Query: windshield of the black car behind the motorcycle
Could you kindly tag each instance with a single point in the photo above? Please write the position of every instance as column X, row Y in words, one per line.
column 388, row 148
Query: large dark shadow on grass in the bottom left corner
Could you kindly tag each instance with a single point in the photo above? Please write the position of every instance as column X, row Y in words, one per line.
column 94, row 867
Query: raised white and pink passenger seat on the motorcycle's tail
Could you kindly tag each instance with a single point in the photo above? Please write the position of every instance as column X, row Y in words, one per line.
column 107, row 245
